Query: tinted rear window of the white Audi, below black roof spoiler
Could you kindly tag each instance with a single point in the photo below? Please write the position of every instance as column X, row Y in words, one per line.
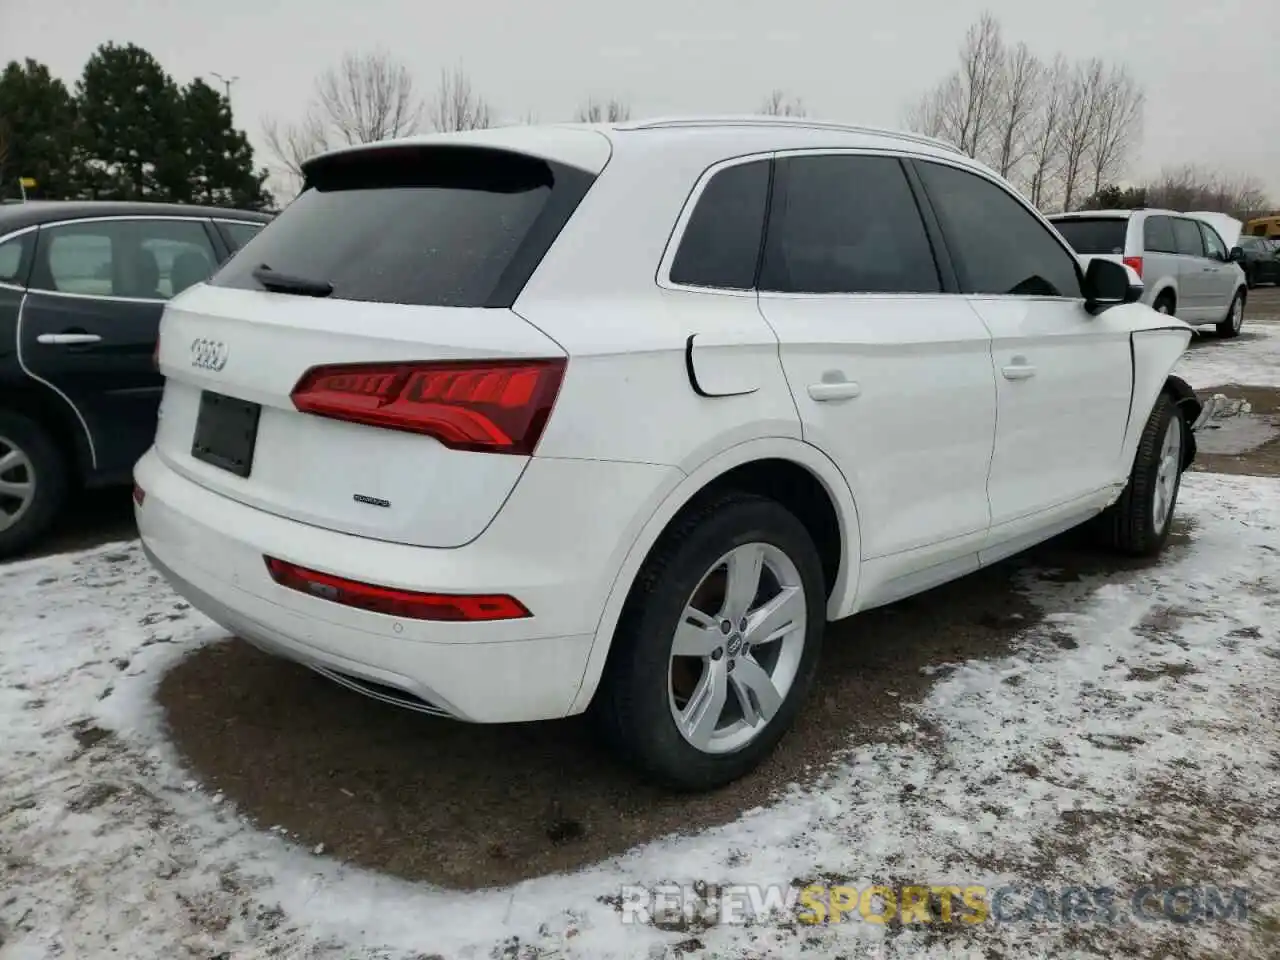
column 455, row 227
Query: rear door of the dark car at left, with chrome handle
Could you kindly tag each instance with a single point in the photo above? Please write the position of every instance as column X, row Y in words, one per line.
column 92, row 319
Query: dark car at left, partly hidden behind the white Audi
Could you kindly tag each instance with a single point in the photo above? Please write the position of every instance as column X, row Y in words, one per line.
column 83, row 289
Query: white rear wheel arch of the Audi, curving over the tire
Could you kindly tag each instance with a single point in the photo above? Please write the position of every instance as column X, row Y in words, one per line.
column 756, row 467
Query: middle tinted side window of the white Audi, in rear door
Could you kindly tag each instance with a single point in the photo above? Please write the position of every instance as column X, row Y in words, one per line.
column 847, row 225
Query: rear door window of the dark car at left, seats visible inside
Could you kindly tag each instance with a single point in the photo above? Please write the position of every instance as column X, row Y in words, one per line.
column 144, row 259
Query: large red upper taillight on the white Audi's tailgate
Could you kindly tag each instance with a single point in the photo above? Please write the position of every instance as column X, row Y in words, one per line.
column 500, row 406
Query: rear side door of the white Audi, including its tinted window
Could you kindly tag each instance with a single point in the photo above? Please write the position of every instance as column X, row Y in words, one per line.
column 892, row 373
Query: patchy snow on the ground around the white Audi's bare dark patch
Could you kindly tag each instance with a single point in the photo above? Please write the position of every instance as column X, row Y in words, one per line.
column 1131, row 735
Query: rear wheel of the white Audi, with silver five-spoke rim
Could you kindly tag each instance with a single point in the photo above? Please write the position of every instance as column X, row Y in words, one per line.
column 647, row 685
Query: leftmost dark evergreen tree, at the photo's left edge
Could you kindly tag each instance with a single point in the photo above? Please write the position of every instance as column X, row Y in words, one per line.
column 38, row 117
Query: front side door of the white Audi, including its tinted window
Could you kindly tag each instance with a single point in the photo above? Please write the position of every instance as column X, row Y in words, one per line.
column 1063, row 374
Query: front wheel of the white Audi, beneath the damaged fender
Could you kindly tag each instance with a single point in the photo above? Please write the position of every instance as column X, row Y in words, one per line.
column 1139, row 524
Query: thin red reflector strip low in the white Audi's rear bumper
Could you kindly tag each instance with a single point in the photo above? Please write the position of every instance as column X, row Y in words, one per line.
column 392, row 602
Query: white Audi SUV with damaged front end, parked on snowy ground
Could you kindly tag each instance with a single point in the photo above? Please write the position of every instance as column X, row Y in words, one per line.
column 513, row 424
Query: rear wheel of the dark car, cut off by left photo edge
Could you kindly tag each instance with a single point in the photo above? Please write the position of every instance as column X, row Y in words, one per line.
column 30, row 458
